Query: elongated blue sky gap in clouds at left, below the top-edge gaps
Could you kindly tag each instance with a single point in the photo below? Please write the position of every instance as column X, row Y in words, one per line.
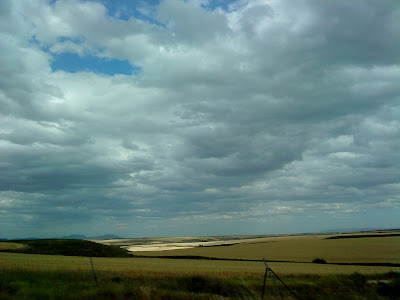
column 71, row 62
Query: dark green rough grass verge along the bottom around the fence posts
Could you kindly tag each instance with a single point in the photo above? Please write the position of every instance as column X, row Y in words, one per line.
column 22, row 284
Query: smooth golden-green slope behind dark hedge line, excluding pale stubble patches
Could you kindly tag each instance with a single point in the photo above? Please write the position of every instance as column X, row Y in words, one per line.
column 385, row 249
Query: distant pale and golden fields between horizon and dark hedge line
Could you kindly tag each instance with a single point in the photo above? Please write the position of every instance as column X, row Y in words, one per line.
column 342, row 248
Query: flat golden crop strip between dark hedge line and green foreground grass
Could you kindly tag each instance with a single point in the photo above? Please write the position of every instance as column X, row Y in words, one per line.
column 35, row 262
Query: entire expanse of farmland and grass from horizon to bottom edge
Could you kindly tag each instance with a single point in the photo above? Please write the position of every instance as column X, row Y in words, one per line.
column 364, row 267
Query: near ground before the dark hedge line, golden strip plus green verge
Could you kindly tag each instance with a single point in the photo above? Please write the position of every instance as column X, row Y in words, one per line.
column 32, row 276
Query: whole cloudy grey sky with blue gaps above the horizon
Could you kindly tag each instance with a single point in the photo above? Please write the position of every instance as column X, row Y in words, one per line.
column 195, row 118
